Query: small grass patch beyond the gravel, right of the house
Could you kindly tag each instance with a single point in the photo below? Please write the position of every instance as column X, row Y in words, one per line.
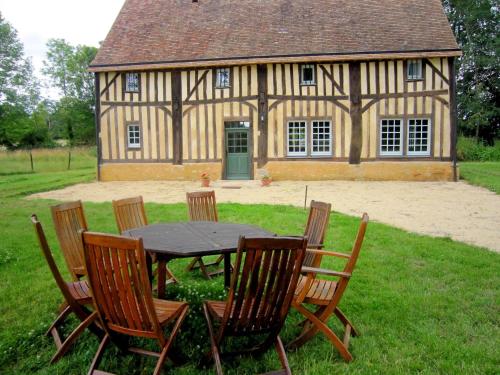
column 485, row 174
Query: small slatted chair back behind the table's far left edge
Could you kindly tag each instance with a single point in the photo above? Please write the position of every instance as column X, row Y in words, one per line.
column 130, row 213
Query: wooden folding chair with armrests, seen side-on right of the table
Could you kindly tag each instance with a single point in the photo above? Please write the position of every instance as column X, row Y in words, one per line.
column 326, row 295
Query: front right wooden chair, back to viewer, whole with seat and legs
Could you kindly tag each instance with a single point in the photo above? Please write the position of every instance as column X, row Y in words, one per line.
column 262, row 286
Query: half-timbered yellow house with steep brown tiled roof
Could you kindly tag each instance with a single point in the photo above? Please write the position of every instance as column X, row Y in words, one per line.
column 304, row 89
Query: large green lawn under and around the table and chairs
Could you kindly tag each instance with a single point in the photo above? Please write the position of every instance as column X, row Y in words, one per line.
column 422, row 304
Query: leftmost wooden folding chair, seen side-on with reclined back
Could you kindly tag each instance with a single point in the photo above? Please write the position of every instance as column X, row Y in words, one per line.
column 76, row 296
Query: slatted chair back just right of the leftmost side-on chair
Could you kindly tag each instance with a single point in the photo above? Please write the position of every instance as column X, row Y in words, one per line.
column 69, row 219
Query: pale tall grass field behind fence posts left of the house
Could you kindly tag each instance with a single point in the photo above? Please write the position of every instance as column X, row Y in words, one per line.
column 46, row 160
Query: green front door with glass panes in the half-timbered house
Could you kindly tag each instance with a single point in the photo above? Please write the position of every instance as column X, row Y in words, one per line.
column 237, row 150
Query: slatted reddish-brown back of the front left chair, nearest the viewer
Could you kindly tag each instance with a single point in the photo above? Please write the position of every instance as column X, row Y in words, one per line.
column 118, row 278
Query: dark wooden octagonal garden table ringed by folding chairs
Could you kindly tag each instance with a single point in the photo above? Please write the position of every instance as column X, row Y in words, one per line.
column 196, row 238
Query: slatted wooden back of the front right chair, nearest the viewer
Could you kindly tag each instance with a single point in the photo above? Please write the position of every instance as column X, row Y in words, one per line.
column 264, row 280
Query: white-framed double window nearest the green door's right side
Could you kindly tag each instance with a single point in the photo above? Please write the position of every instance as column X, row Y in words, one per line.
column 318, row 131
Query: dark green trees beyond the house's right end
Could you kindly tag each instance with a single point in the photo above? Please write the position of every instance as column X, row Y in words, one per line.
column 476, row 24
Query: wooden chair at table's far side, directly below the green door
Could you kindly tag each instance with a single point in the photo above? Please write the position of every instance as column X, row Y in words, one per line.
column 202, row 207
